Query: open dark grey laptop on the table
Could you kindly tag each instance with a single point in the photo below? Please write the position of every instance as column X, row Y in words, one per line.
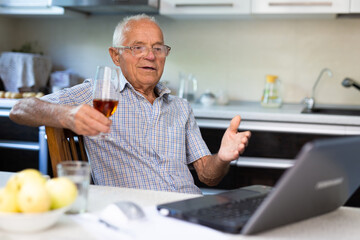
column 325, row 174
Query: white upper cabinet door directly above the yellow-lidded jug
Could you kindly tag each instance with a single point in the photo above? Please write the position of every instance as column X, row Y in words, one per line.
column 300, row 6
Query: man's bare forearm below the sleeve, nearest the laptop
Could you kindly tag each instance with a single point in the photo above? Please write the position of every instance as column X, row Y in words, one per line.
column 211, row 169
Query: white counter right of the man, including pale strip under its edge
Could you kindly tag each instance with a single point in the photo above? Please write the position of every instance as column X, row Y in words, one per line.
column 288, row 118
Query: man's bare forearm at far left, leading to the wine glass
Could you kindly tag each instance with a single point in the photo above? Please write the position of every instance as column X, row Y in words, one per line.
column 35, row 112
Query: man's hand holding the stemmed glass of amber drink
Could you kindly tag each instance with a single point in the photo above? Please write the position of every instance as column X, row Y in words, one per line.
column 86, row 120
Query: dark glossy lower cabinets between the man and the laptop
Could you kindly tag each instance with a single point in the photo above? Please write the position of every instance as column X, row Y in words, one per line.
column 269, row 154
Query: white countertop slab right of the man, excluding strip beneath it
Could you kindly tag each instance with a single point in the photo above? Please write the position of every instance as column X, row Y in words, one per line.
column 286, row 113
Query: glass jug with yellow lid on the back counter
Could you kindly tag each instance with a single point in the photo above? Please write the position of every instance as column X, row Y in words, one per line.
column 271, row 96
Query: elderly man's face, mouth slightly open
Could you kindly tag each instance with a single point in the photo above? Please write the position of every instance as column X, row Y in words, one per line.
column 142, row 71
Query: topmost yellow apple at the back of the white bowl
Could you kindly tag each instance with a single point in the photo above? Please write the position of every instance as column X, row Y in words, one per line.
column 16, row 181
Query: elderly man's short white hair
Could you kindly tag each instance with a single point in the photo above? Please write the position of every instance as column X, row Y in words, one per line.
column 124, row 26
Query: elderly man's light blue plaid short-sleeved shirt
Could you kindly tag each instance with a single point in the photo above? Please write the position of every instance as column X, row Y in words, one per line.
column 154, row 143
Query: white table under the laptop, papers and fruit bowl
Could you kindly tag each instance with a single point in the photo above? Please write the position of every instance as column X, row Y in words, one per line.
column 343, row 223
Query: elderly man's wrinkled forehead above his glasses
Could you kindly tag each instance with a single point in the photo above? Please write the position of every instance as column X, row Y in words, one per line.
column 142, row 31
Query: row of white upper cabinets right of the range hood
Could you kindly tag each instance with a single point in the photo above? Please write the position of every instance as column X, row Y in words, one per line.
column 253, row 8
